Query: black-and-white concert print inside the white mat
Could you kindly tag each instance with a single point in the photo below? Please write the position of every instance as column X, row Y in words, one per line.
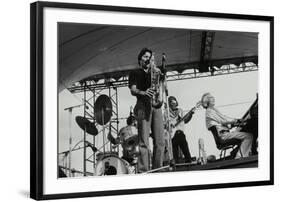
column 147, row 100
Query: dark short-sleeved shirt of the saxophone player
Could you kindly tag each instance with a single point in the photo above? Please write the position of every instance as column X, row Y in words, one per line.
column 142, row 80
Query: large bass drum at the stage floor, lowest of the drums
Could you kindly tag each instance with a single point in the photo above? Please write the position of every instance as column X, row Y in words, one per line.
column 113, row 165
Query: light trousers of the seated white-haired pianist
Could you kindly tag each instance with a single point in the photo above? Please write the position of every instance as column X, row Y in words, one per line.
column 246, row 141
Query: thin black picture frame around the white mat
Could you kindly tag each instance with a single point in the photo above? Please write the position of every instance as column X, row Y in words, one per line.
column 37, row 98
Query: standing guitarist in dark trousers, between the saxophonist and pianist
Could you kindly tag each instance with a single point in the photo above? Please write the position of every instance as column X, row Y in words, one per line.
column 178, row 136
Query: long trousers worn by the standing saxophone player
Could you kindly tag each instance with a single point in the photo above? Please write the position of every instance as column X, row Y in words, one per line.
column 150, row 119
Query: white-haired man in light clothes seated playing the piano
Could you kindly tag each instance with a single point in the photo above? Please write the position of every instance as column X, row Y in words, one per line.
column 222, row 122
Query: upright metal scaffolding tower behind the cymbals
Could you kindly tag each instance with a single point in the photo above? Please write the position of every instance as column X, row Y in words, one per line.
column 90, row 96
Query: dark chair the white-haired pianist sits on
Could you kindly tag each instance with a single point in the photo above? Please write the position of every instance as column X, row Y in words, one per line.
column 223, row 146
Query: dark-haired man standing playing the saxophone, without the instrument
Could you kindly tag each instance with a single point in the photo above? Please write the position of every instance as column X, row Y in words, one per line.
column 149, row 118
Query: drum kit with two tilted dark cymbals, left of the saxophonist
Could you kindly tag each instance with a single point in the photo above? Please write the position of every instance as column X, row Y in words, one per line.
column 108, row 162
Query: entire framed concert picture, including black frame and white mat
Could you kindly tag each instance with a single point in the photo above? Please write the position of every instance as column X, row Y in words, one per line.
column 132, row 100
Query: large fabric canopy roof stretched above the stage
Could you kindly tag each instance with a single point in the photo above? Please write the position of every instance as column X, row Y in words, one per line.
column 96, row 51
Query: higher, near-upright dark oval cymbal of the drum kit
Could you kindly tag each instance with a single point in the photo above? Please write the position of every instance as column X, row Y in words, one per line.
column 103, row 109
